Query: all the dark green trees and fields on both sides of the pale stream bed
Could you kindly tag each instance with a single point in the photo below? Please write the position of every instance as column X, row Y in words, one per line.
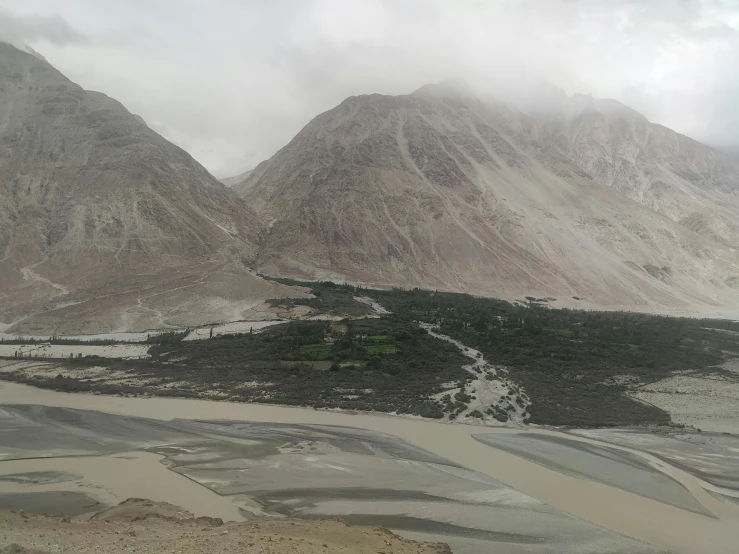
column 576, row 366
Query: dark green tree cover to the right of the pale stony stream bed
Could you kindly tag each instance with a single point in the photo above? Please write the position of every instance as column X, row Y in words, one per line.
column 568, row 360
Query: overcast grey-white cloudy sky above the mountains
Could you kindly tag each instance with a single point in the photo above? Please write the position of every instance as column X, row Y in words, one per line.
column 232, row 81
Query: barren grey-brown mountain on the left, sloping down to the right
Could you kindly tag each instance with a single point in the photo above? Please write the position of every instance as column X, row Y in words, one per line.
column 95, row 206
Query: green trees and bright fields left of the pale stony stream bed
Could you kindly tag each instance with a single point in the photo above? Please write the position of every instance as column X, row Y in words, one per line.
column 398, row 370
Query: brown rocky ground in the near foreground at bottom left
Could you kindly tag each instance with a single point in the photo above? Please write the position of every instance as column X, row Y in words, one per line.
column 144, row 527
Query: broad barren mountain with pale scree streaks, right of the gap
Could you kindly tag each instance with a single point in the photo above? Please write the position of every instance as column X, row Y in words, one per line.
column 439, row 189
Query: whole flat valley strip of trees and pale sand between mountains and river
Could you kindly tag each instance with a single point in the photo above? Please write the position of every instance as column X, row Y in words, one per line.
column 419, row 353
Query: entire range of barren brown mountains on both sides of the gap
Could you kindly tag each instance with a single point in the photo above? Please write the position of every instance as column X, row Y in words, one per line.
column 105, row 226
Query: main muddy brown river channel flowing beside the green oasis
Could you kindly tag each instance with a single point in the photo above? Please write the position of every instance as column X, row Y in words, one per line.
column 607, row 506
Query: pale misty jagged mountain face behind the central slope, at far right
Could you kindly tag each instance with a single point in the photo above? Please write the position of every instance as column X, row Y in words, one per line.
column 663, row 170
